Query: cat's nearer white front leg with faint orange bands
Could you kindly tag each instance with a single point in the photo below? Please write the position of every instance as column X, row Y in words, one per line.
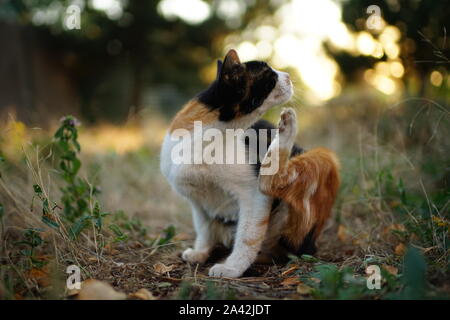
column 252, row 226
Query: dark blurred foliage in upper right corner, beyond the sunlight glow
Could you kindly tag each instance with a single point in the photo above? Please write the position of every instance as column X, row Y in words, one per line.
column 423, row 25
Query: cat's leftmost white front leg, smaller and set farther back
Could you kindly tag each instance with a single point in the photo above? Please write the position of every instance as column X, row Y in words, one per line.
column 204, row 241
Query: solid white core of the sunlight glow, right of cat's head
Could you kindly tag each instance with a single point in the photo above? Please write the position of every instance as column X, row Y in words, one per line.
column 303, row 26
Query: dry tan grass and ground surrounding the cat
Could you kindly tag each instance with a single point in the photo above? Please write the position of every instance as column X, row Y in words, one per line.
column 363, row 230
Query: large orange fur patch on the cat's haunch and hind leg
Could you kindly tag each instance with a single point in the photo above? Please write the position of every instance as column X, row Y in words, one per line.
column 310, row 195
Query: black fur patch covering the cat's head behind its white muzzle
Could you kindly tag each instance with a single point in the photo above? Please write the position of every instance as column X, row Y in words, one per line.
column 239, row 88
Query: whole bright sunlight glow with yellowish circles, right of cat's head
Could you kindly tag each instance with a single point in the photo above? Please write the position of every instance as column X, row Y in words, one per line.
column 293, row 39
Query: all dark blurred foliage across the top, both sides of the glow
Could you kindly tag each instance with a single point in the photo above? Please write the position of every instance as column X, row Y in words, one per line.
column 118, row 65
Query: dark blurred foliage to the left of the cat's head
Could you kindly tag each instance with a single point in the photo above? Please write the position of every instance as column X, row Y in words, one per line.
column 112, row 61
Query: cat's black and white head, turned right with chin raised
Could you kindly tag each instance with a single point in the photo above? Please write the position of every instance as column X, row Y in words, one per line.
column 245, row 88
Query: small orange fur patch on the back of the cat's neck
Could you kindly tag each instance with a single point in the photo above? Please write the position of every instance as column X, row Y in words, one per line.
column 193, row 111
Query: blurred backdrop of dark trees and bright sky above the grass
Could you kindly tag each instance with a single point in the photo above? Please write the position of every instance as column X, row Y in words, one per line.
column 133, row 57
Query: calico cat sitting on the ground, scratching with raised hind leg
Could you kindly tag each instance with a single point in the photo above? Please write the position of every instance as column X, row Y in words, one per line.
column 261, row 217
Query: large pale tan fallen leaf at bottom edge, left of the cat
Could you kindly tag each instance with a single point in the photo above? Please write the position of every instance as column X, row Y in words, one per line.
column 92, row 289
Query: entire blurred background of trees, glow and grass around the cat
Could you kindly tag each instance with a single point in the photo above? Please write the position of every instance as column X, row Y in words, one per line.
column 371, row 80
